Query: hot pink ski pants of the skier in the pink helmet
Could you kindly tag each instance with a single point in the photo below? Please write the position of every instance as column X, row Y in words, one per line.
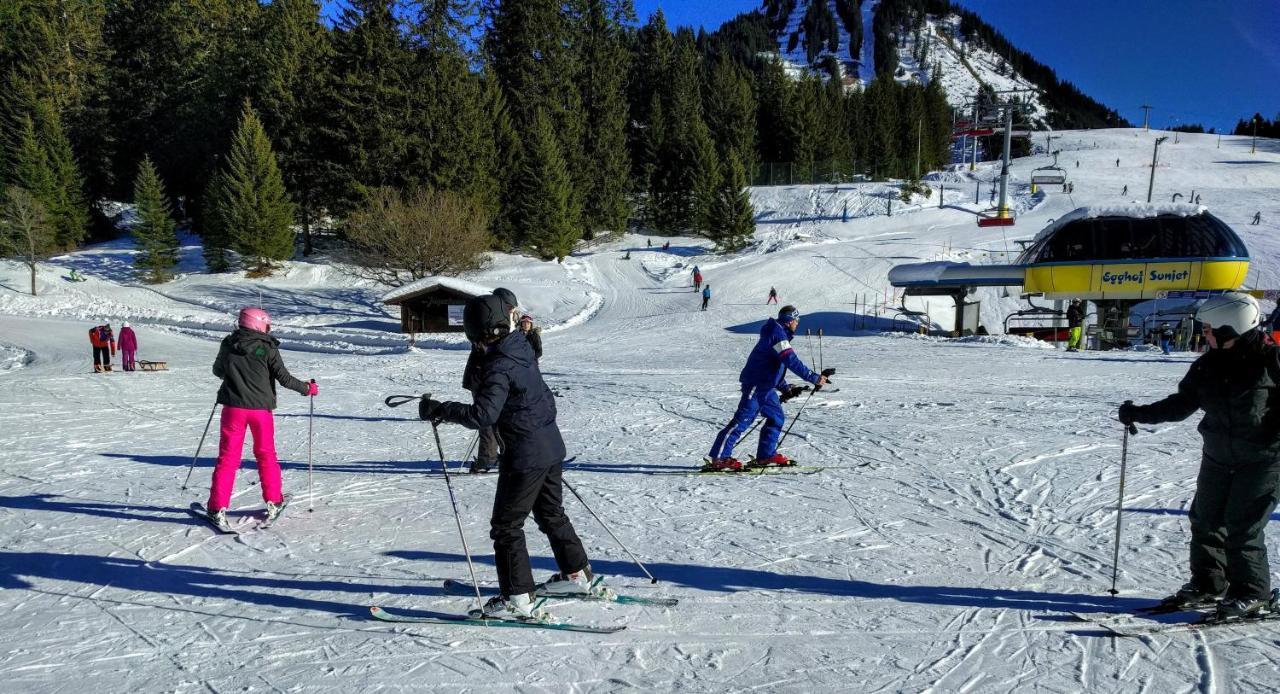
column 234, row 423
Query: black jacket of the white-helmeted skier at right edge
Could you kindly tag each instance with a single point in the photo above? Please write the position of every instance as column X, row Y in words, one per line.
column 1238, row 391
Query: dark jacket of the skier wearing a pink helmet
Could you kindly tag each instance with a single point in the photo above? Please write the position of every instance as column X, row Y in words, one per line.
column 250, row 366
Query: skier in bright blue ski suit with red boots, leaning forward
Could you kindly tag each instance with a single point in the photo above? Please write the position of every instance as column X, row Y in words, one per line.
column 764, row 380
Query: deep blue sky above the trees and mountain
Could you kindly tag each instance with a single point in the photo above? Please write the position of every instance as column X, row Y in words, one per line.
column 1208, row 62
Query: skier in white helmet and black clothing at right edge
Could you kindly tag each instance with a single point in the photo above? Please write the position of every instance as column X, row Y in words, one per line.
column 1237, row 383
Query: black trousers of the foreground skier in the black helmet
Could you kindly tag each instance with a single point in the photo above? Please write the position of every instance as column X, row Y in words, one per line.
column 520, row 492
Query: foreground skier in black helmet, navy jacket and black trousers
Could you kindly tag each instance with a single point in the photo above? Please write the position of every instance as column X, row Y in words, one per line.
column 513, row 396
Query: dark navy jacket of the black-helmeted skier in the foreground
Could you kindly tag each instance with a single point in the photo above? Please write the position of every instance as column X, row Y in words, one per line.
column 511, row 395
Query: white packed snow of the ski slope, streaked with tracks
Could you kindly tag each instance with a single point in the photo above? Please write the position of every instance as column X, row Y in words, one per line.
column 966, row 506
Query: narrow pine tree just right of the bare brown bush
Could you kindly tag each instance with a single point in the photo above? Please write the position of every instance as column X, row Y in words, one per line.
column 542, row 207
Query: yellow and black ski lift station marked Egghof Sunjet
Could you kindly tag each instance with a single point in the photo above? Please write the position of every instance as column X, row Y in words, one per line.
column 1116, row 257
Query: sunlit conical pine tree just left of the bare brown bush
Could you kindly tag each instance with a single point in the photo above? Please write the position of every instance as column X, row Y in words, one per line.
column 252, row 203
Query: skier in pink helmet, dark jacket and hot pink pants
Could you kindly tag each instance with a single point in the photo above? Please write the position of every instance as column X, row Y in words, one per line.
column 250, row 366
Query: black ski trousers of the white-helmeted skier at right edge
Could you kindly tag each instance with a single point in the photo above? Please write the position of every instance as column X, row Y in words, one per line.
column 1231, row 510
